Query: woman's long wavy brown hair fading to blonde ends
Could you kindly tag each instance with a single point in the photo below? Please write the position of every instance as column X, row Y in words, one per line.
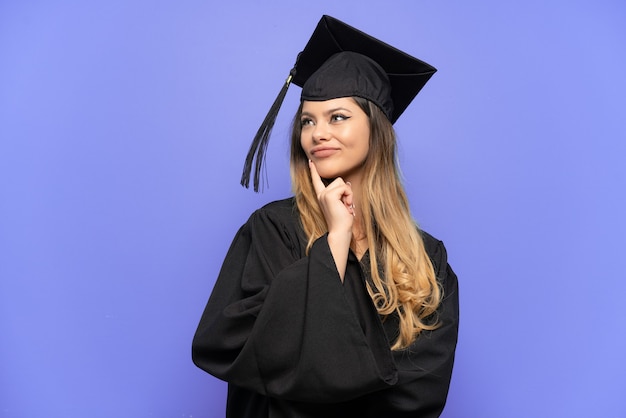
column 403, row 279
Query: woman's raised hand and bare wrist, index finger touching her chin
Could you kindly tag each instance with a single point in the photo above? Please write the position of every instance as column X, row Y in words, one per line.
column 336, row 202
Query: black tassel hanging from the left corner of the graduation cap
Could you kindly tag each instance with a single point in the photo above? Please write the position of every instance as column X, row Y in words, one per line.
column 261, row 139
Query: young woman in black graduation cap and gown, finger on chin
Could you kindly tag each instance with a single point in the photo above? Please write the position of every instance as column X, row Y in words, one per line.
column 333, row 303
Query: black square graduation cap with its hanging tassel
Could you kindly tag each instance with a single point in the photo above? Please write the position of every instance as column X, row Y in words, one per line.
column 341, row 61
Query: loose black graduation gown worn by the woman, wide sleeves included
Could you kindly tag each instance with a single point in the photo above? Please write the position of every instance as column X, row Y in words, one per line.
column 292, row 340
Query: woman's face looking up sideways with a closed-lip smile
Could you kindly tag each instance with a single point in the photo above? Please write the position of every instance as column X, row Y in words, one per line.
column 335, row 136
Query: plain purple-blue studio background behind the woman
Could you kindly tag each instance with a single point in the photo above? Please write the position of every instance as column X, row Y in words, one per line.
column 123, row 128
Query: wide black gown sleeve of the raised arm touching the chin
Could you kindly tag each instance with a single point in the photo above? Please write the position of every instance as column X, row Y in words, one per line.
column 278, row 322
